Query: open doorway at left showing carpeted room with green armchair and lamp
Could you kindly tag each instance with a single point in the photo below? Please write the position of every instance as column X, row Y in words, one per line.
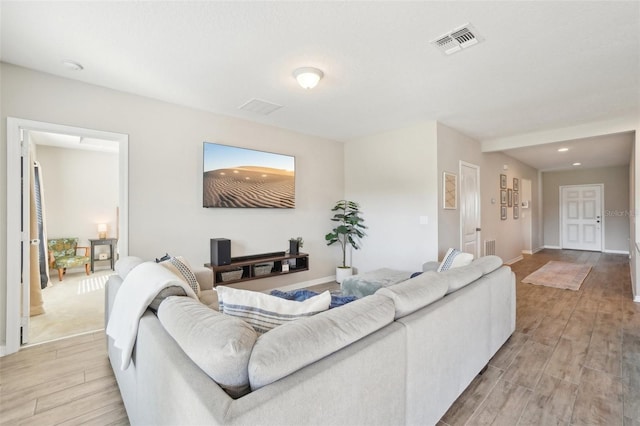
column 77, row 199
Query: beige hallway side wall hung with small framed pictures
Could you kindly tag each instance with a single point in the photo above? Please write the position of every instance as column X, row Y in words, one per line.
column 512, row 236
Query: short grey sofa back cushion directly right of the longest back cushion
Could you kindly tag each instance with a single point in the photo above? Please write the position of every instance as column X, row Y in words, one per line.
column 411, row 295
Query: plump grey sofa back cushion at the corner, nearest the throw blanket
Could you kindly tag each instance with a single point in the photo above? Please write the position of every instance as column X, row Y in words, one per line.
column 219, row 344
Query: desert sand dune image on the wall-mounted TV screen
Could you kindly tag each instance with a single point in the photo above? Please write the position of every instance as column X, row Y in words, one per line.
column 239, row 177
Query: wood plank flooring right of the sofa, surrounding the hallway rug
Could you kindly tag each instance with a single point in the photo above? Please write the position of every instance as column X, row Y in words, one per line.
column 574, row 358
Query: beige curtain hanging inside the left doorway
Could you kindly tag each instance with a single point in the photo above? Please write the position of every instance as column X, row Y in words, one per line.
column 38, row 264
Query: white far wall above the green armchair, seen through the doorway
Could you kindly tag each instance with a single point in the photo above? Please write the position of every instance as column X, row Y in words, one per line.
column 80, row 191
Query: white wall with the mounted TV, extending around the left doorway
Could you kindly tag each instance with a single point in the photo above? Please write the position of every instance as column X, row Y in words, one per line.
column 165, row 173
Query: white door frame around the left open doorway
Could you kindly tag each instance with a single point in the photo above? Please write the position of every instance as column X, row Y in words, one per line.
column 15, row 152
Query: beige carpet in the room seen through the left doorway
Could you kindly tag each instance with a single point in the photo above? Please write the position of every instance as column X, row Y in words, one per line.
column 73, row 306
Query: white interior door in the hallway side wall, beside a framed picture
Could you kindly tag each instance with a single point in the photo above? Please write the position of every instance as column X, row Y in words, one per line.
column 470, row 208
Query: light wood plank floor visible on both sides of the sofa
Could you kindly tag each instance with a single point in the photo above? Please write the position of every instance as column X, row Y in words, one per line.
column 574, row 359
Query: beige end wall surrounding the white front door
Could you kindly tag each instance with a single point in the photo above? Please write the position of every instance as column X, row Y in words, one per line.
column 616, row 203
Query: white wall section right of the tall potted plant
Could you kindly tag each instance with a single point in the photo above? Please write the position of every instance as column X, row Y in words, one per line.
column 393, row 175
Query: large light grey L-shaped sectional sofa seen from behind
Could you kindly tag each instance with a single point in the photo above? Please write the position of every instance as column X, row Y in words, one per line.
column 400, row 356
